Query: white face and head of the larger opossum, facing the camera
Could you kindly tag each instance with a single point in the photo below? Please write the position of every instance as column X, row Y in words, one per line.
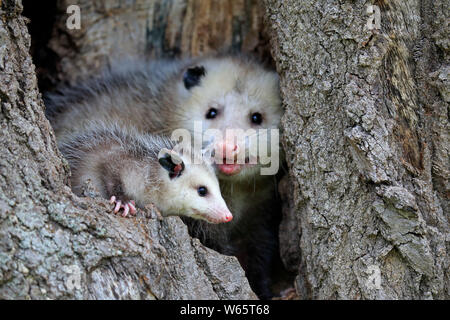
column 225, row 94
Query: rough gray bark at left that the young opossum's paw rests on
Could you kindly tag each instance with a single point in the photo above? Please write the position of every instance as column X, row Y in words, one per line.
column 56, row 245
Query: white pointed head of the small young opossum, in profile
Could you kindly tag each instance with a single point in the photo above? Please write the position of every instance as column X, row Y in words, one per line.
column 190, row 188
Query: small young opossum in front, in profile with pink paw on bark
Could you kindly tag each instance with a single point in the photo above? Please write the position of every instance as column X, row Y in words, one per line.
column 131, row 168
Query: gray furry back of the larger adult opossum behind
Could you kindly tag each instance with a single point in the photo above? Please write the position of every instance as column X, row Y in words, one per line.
column 132, row 94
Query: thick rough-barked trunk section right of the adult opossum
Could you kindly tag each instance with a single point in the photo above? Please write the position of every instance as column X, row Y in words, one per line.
column 366, row 137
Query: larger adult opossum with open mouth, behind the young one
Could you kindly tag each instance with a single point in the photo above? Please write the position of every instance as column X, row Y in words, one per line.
column 222, row 93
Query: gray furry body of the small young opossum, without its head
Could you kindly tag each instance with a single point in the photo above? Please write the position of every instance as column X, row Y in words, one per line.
column 104, row 151
